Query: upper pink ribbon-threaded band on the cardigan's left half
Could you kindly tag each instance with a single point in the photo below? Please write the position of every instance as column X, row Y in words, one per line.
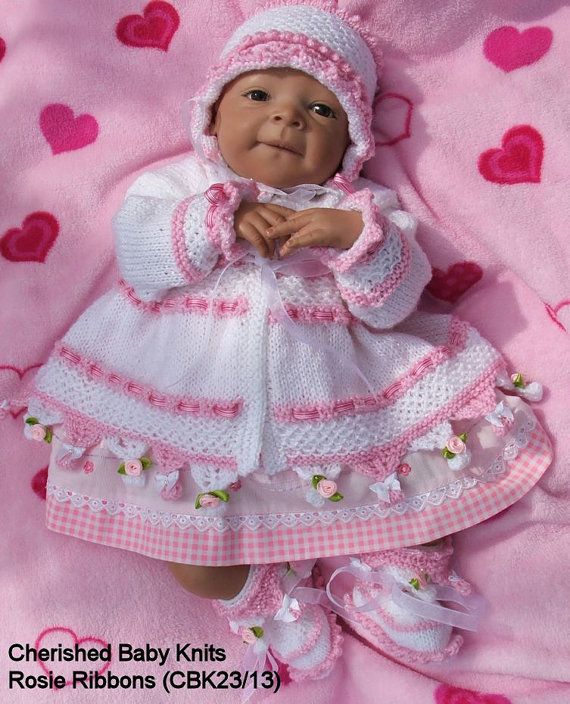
column 223, row 307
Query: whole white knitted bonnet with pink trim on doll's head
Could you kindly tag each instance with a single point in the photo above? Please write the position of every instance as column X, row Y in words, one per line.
column 331, row 46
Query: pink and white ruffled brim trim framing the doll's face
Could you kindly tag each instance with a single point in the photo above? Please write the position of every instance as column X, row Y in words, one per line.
column 275, row 48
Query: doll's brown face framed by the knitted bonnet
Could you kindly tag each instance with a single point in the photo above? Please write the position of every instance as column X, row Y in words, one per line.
column 261, row 109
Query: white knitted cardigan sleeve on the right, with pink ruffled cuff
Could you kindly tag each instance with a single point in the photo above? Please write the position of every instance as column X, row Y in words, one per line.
column 383, row 274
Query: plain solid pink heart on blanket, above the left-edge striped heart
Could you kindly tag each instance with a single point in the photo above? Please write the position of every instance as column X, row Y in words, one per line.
column 63, row 131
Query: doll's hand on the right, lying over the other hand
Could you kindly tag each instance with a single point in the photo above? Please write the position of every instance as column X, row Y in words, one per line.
column 318, row 227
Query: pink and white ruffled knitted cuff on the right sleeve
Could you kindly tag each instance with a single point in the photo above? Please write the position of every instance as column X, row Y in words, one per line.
column 369, row 240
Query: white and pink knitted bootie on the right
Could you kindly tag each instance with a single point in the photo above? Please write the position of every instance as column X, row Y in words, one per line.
column 393, row 626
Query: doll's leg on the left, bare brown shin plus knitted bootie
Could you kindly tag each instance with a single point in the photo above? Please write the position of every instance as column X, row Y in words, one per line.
column 304, row 636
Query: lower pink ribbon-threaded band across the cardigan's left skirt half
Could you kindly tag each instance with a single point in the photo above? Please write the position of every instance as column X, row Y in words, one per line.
column 210, row 408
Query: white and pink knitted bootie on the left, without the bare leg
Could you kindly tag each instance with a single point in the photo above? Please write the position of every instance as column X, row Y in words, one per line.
column 304, row 636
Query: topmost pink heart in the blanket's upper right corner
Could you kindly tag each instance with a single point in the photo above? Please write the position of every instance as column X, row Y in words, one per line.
column 510, row 49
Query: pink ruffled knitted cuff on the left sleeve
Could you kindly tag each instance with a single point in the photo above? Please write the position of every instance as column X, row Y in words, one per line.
column 225, row 199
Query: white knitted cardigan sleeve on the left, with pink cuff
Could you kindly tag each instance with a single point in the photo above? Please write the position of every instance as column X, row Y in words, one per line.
column 173, row 226
